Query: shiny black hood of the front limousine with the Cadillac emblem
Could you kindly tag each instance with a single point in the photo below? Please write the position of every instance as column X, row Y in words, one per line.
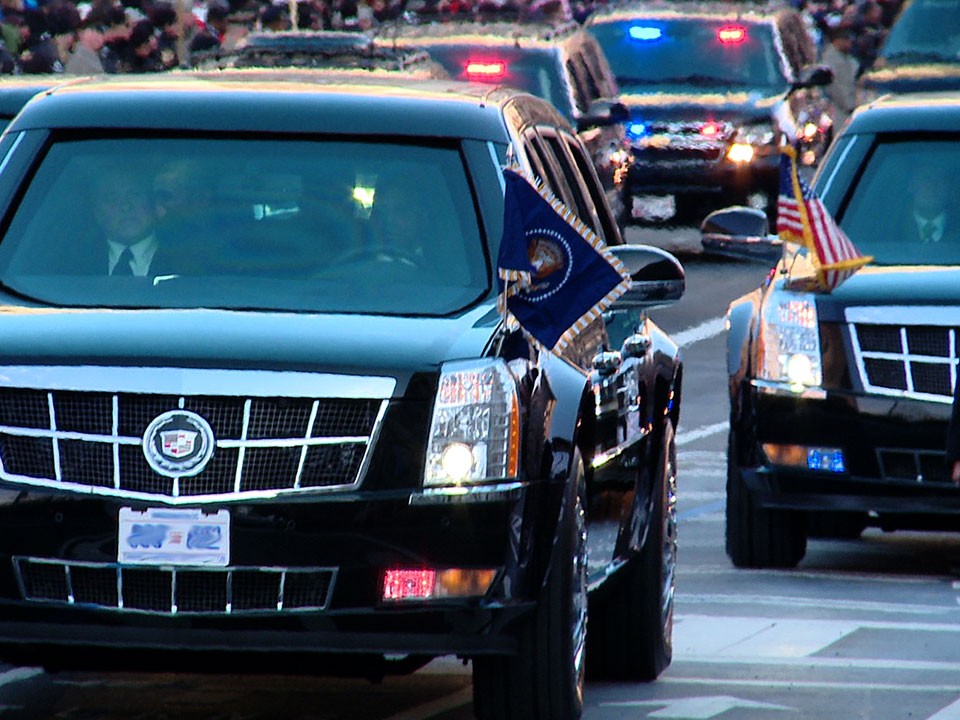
column 349, row 344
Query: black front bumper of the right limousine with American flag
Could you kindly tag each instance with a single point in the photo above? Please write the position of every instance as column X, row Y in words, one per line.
column 893, row 454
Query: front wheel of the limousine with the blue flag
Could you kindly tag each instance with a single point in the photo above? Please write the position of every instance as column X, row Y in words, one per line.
column 544, row 680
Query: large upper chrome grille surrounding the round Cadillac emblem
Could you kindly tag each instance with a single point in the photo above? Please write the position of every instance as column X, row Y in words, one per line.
column 93, row 441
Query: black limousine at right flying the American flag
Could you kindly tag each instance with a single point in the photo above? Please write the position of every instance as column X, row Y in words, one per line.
column 839, row 401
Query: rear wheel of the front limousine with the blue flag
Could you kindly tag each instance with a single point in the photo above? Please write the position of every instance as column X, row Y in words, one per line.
column 631, row 634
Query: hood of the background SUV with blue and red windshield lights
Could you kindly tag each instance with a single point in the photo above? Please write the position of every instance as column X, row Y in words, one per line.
column 740, row 106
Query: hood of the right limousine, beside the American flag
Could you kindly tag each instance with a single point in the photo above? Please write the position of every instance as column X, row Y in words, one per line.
column 893, row 286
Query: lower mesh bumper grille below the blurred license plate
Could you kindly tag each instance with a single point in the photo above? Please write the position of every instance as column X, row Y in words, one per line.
column 169, row 591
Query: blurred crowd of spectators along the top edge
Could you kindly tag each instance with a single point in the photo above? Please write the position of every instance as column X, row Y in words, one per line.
column 133, row 36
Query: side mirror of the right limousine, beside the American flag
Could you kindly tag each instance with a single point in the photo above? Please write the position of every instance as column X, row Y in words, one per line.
column 742, row 233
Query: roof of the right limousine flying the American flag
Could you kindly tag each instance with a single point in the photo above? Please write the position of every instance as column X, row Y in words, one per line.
column 913, row 112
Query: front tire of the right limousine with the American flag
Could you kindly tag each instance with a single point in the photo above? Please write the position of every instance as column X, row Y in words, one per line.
column 758, row 537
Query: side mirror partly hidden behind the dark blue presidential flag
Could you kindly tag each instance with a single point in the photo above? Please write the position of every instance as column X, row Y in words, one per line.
column 656, row 277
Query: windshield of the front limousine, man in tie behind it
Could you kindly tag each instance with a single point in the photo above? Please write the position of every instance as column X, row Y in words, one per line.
column 331, row 225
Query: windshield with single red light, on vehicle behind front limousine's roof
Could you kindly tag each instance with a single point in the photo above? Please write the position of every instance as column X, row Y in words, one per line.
column 534, row 71
